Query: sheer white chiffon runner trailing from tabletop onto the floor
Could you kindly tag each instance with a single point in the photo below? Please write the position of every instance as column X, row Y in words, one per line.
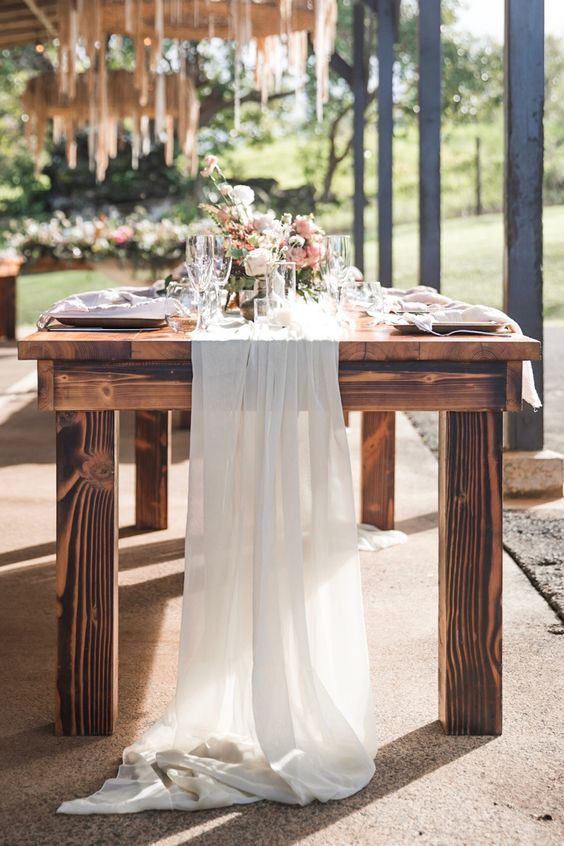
column 273, row 697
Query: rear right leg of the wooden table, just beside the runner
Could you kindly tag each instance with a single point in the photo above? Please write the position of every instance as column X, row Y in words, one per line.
column 378, row 468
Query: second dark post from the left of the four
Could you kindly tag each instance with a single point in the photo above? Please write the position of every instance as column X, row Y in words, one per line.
column 385, row 53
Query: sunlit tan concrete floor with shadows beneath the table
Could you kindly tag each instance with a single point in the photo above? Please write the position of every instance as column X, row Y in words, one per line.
column 428, row 788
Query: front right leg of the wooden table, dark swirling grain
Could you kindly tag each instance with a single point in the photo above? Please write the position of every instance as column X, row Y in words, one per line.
column 470, row 572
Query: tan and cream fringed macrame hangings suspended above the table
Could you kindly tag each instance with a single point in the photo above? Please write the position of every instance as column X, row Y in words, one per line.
column 158, row 104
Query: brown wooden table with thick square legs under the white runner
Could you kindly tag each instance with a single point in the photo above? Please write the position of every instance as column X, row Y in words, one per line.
column 87, row 378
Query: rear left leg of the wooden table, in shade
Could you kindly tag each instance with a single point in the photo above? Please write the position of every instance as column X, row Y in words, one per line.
column 152, row 439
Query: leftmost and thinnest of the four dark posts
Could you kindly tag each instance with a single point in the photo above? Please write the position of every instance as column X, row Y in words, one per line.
column 359, row 92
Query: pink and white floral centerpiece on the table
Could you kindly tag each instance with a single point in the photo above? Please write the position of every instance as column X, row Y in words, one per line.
column 258, row 238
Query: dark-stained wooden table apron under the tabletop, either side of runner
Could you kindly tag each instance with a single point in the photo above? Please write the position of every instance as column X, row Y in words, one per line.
column 368, row 386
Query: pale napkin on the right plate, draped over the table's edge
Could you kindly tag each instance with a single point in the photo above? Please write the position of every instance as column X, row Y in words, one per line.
column 439, row 309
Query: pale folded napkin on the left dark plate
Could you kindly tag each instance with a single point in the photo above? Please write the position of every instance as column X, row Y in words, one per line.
column 109, row 302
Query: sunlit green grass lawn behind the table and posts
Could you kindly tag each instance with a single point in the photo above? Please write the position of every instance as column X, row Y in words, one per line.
column 472, row 250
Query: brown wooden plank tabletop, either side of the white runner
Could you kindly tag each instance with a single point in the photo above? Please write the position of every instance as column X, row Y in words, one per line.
column 381, row 343
